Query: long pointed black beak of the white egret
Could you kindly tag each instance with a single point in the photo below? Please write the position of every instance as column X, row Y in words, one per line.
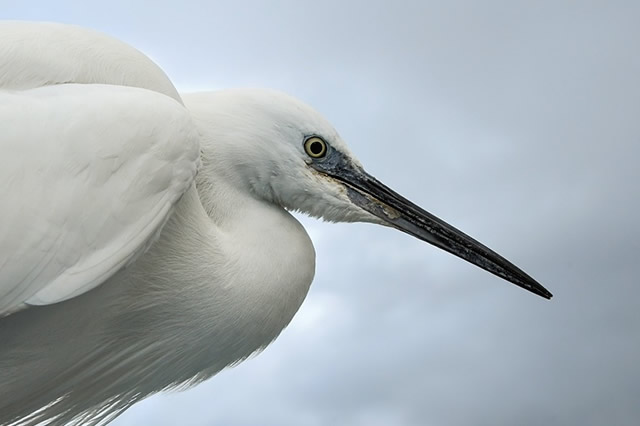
column 373, row 196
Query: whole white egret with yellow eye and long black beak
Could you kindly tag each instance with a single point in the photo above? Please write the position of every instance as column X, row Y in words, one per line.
column 145, row 238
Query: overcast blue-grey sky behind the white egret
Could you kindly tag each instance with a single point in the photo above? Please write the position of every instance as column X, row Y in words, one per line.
column 516, row 121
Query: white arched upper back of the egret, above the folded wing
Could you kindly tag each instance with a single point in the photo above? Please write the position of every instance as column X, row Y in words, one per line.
column 36, row 54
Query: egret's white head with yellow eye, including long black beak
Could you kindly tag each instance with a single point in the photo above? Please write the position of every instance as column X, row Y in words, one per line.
column 284, row 152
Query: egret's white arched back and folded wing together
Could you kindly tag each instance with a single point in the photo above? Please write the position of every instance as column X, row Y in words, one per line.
column 89, row 172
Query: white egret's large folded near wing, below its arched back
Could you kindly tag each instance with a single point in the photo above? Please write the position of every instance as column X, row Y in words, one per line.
column 88, row 176
